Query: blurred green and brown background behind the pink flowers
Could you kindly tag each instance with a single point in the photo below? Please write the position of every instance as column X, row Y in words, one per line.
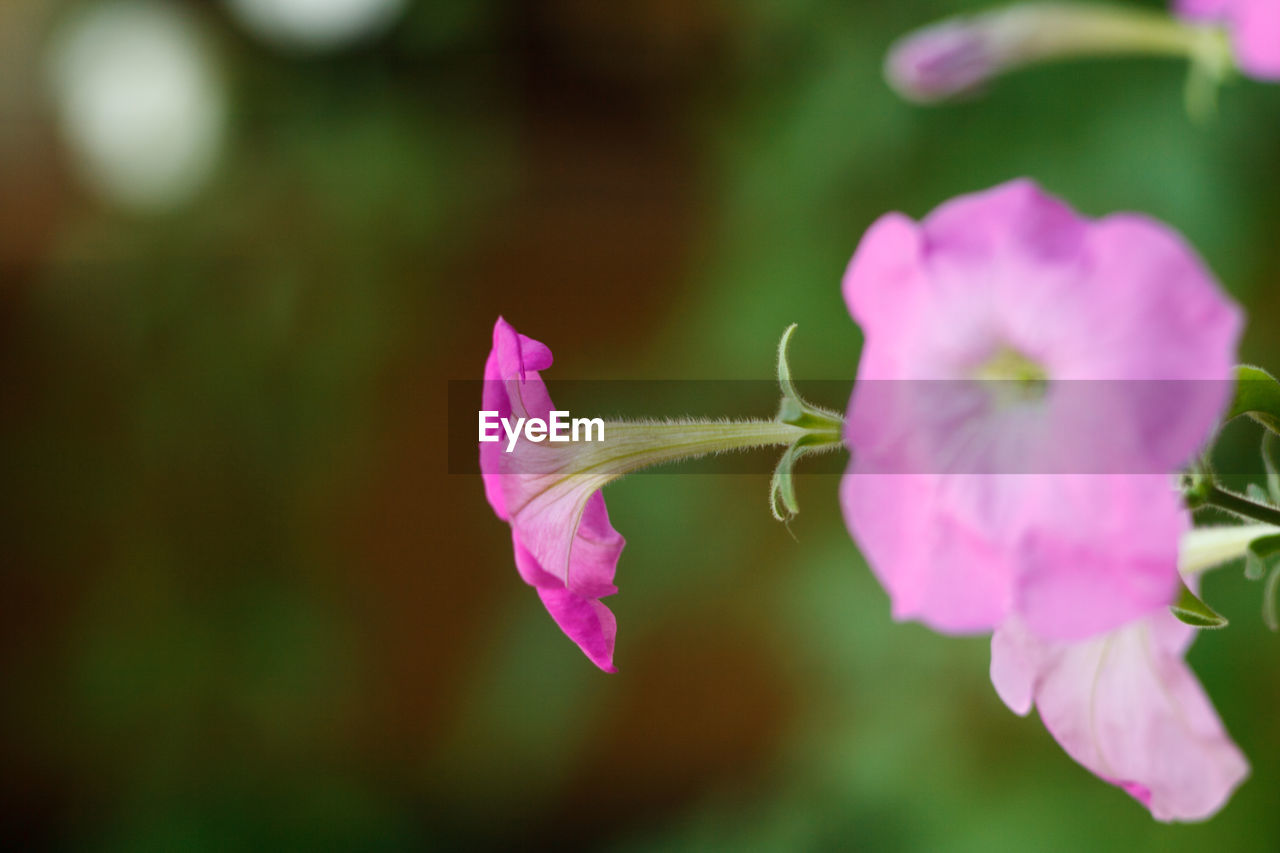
column 245, row 603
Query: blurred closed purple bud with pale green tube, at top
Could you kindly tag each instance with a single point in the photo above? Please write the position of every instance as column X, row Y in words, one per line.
column 958, row 56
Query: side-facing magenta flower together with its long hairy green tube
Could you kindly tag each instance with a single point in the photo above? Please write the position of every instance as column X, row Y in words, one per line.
column 550, row 494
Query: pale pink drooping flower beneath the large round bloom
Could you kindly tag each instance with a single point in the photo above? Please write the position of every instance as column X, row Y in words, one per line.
column 1127, row 706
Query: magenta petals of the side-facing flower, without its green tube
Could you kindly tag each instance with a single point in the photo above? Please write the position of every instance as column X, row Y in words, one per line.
column 565, row 545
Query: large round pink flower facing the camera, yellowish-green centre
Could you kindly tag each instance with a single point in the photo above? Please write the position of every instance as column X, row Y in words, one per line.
column 1046, row 495
